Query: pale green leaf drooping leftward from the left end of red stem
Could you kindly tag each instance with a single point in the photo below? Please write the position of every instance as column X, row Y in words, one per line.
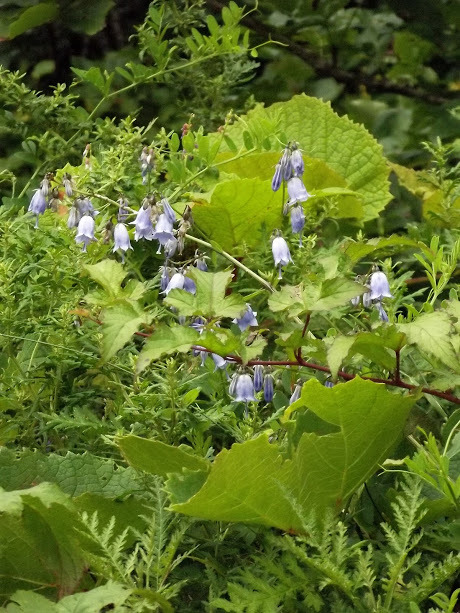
column 166, row 340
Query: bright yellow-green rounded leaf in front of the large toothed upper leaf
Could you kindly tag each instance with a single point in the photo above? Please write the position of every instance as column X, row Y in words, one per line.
column 238, row 212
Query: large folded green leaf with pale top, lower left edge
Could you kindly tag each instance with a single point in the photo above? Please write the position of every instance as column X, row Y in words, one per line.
column 38, row 541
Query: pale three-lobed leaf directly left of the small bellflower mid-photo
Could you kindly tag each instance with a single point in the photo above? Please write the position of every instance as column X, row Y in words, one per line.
column 209, row 300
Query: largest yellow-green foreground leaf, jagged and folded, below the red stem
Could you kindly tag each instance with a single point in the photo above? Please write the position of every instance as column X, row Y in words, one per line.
column 253, row 482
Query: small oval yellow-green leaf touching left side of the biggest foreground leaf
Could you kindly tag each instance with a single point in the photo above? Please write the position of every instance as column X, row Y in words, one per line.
column 158, row 458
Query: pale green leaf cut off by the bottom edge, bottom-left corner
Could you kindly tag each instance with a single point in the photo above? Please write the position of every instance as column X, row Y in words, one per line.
column 109, row 596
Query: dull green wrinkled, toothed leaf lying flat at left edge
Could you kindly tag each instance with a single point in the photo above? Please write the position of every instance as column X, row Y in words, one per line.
column 75, row 474
